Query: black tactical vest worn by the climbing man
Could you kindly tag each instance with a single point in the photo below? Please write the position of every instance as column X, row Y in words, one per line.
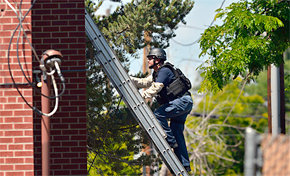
column 177, row 88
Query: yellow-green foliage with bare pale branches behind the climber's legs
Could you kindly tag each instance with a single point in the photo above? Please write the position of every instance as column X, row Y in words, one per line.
column 216, row 141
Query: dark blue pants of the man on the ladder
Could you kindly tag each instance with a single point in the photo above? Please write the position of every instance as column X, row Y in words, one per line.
column 177, row 111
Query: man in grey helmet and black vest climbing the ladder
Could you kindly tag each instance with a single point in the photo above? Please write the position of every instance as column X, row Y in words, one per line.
column 174, row 106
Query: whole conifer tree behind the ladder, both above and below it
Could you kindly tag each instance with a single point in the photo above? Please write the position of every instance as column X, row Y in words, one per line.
column 114, row 137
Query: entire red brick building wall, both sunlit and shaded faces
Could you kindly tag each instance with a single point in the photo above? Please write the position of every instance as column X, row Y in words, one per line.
column 55, row 25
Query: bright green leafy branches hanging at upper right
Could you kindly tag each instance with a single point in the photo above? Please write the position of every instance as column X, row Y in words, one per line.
column 253, row 35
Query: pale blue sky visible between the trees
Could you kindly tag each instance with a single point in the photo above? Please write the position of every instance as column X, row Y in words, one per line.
column 180, row 53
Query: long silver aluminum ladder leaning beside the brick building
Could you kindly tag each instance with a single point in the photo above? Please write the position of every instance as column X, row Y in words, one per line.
column 125, row 87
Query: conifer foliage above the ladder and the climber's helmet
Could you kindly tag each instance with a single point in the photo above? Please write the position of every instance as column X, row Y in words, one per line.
column 127, row 26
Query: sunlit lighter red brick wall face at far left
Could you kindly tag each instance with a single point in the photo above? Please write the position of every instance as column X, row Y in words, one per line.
column 16, row 135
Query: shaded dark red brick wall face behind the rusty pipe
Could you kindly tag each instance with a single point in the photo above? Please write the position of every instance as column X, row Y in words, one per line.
column 60, row 25
